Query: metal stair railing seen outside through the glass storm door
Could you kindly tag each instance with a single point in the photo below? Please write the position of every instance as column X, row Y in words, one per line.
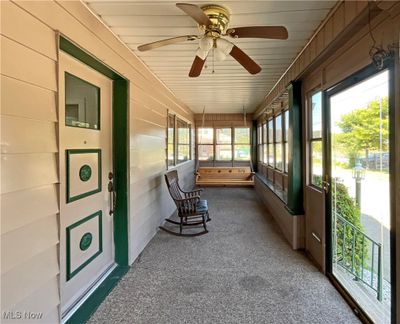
column 352, row 254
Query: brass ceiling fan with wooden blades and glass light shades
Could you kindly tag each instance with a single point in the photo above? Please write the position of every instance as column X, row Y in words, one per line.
column 213, row 23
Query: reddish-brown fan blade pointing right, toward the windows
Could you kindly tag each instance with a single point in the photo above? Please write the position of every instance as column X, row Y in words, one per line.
column 273, row 32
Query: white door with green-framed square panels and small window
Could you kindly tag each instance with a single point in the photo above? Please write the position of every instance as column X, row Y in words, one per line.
column 86, row 226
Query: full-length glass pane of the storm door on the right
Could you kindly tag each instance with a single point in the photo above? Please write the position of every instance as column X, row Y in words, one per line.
column 359, row 192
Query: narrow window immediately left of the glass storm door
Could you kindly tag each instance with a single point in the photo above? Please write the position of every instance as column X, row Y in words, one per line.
column 316, row 139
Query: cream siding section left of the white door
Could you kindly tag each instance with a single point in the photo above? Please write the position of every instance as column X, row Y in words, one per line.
column 29, row 166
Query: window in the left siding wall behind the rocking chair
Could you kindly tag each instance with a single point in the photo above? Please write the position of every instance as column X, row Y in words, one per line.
column 178, row 140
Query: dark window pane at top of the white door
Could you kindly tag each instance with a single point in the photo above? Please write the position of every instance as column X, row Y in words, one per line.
column 82, row 103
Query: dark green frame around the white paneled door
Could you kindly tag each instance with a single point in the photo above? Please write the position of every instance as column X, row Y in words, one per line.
column 120, row 157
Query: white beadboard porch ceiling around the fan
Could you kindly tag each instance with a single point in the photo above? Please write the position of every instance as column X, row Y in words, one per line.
column 231, row 87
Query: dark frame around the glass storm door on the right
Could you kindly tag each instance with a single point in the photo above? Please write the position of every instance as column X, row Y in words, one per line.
column 347, row 82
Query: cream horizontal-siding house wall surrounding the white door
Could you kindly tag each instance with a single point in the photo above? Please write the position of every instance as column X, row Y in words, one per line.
column 29, row 164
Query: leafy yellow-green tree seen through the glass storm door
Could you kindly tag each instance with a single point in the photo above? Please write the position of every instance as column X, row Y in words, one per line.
column 361, row 129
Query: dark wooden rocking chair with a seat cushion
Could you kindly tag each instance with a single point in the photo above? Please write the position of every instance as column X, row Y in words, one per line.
column 191, row 210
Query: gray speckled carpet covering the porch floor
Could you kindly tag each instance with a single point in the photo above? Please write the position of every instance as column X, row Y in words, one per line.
column 242, row 271
